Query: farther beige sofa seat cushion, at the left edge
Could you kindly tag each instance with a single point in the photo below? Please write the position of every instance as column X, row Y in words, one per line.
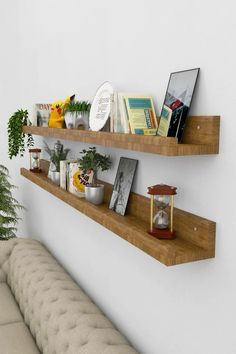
column 9, row 311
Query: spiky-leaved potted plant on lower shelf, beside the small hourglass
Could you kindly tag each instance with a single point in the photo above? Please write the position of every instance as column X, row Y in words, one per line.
column 56, row 155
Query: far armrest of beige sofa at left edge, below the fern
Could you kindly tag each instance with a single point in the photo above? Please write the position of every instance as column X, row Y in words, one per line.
column 6, row 248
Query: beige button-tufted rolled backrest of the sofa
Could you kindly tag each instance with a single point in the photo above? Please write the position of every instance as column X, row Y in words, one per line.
column 61, row 317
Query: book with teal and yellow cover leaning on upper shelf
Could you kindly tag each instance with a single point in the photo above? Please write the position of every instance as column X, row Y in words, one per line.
column 140, row 112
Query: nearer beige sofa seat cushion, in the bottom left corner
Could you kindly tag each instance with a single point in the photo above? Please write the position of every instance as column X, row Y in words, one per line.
column 15, row 338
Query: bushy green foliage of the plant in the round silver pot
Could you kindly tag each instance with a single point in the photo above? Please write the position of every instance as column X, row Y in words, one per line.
column 92, row 160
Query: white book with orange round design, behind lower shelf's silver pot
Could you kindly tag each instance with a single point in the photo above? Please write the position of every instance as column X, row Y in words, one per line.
column 78, row 179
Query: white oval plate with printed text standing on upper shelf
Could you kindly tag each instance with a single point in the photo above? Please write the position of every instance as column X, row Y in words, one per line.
column 101, row 107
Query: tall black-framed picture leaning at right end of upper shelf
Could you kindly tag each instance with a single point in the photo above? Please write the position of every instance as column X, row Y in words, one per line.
column 177, row 102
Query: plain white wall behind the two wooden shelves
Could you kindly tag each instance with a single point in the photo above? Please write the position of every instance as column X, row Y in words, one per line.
column 51, row 49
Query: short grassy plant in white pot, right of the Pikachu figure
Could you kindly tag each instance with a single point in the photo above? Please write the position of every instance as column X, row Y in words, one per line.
column 76, row 114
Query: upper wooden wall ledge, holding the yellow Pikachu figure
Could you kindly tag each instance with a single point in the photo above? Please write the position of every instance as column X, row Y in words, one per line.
column 201, row 136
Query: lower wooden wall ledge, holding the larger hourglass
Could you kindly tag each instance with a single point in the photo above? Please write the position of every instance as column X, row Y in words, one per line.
column 195, row 235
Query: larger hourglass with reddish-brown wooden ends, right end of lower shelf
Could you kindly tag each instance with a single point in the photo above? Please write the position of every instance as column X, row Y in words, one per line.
column 162, row 205
